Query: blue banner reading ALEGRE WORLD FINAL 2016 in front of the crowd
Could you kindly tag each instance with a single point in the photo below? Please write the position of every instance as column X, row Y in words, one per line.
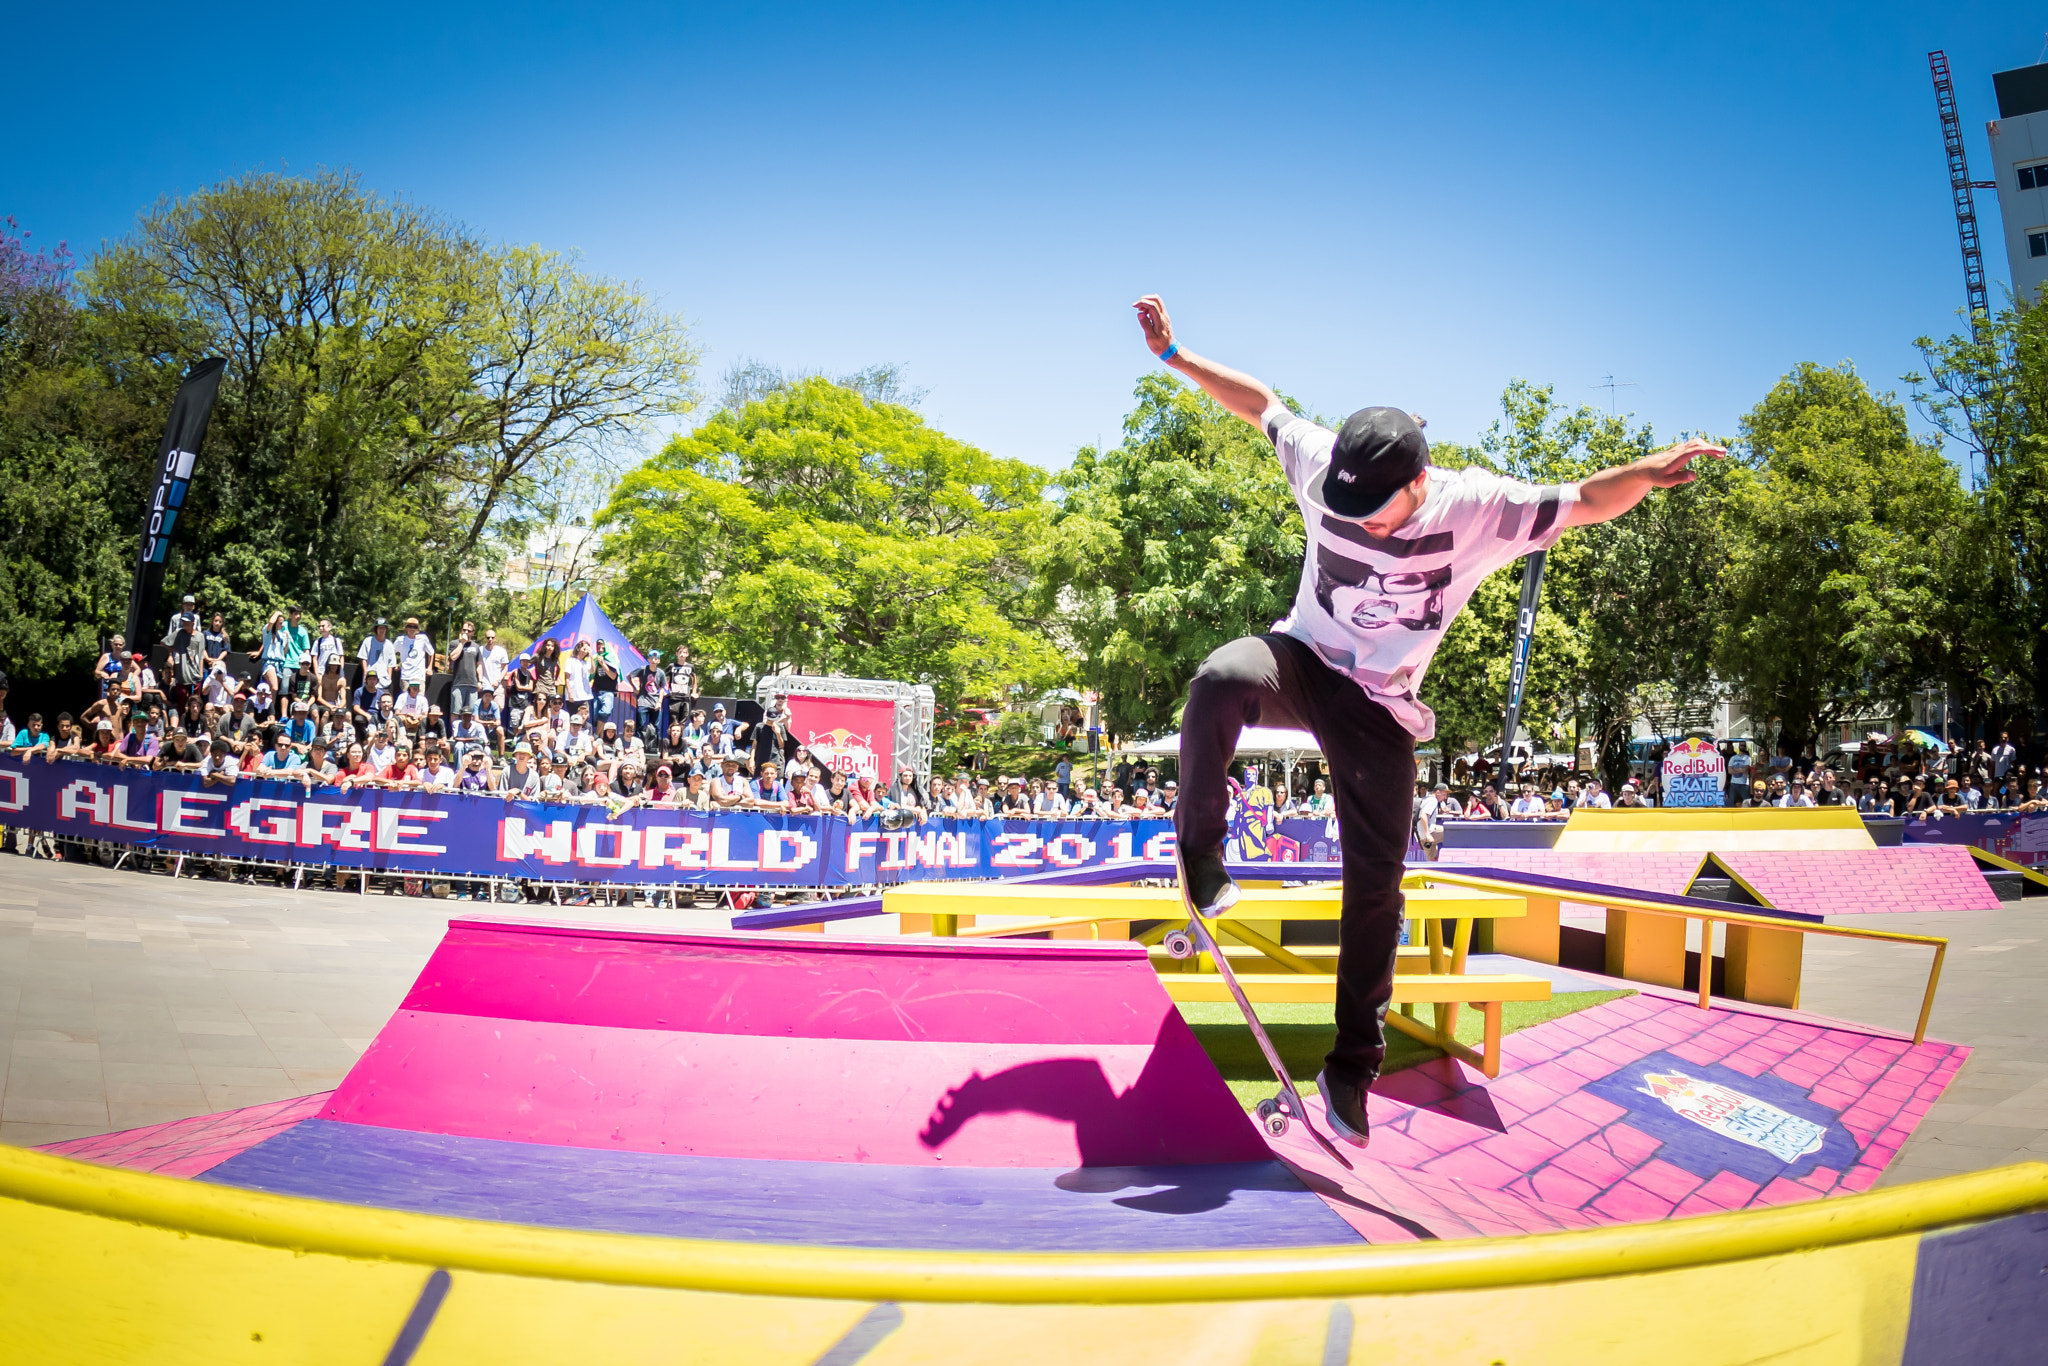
column 458, row 835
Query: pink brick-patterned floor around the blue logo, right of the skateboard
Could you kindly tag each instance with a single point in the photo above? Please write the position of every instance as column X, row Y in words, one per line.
column 1570, row 1136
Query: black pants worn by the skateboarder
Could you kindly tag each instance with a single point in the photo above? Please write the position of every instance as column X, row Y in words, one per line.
column 1371, row 761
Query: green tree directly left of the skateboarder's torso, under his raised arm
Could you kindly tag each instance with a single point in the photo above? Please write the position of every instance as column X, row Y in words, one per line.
column 1164, row 548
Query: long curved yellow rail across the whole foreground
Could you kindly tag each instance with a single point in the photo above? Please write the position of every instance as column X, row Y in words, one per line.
column 1009, row 1279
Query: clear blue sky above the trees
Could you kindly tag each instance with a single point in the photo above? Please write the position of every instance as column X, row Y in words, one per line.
column 1359, row 204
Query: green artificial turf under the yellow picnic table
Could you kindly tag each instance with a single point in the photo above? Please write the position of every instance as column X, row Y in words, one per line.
column 1304, row 1035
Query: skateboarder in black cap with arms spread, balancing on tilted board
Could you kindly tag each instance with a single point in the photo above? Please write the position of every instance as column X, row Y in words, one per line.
column 1394, row 552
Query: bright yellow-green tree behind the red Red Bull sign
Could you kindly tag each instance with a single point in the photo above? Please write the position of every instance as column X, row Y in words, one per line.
column 822, row 531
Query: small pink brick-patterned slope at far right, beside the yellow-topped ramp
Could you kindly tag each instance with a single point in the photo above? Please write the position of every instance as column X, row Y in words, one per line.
column 1910, row 878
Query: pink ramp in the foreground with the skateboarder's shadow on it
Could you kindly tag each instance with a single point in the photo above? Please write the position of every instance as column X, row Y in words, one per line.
column 978, row 1056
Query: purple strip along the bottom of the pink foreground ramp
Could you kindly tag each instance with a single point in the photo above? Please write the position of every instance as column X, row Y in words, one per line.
column 749, row 1199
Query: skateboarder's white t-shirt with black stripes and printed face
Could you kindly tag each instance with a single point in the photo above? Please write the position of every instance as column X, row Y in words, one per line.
column 1375, row 609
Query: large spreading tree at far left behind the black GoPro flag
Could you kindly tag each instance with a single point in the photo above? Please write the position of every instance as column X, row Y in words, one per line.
column 396, row 388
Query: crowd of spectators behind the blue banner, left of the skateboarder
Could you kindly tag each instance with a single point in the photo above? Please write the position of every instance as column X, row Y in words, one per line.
column 546, row 726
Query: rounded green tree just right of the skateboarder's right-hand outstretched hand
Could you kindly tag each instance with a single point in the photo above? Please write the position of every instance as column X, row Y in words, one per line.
column 1838, row 525
